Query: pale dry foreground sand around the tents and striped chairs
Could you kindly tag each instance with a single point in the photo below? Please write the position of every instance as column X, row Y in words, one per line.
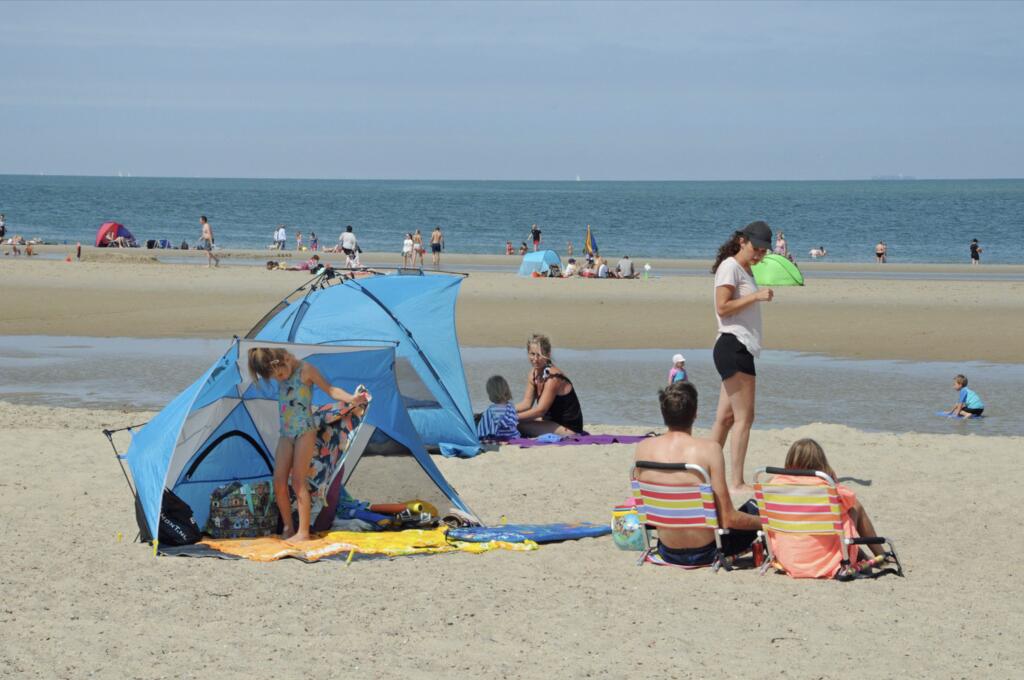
column 78, row 604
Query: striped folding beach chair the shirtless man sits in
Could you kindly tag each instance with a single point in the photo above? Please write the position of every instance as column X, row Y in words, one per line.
column 676, row 506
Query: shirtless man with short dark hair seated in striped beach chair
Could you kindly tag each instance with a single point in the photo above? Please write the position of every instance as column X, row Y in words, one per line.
column 693, row 547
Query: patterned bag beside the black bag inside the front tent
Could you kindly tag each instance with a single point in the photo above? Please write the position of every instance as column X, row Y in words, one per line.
column 241, row 511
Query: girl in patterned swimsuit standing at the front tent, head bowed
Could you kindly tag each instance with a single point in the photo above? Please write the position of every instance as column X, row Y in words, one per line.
column 298, row 434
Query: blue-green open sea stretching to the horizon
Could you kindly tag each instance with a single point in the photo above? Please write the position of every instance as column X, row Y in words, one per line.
column 921, row 222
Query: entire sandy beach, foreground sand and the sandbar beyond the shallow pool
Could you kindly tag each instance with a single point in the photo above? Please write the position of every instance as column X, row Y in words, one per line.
column 80, row 604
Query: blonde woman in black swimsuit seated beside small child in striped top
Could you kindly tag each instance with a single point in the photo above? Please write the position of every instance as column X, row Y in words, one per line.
column 550, row 404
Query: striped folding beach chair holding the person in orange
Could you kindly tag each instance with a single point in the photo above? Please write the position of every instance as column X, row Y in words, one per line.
column 814, row 509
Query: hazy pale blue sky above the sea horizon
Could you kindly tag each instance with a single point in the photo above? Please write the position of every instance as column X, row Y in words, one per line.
column 447, row 91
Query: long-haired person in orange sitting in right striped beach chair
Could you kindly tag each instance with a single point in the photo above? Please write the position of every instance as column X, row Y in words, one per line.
column 817, row 557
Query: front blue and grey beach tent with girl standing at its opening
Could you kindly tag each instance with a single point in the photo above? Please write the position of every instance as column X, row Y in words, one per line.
column 225, row 429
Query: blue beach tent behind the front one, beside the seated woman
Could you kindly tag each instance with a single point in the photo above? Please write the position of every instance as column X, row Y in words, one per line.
column 414, row 314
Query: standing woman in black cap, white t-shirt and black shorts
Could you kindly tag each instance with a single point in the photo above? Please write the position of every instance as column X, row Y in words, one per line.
column 738, row 308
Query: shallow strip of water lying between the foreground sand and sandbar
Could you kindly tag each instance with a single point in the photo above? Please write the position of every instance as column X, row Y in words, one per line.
column 616, row 388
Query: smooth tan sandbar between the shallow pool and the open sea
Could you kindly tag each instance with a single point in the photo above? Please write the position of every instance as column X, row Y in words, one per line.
column 126, row 293
